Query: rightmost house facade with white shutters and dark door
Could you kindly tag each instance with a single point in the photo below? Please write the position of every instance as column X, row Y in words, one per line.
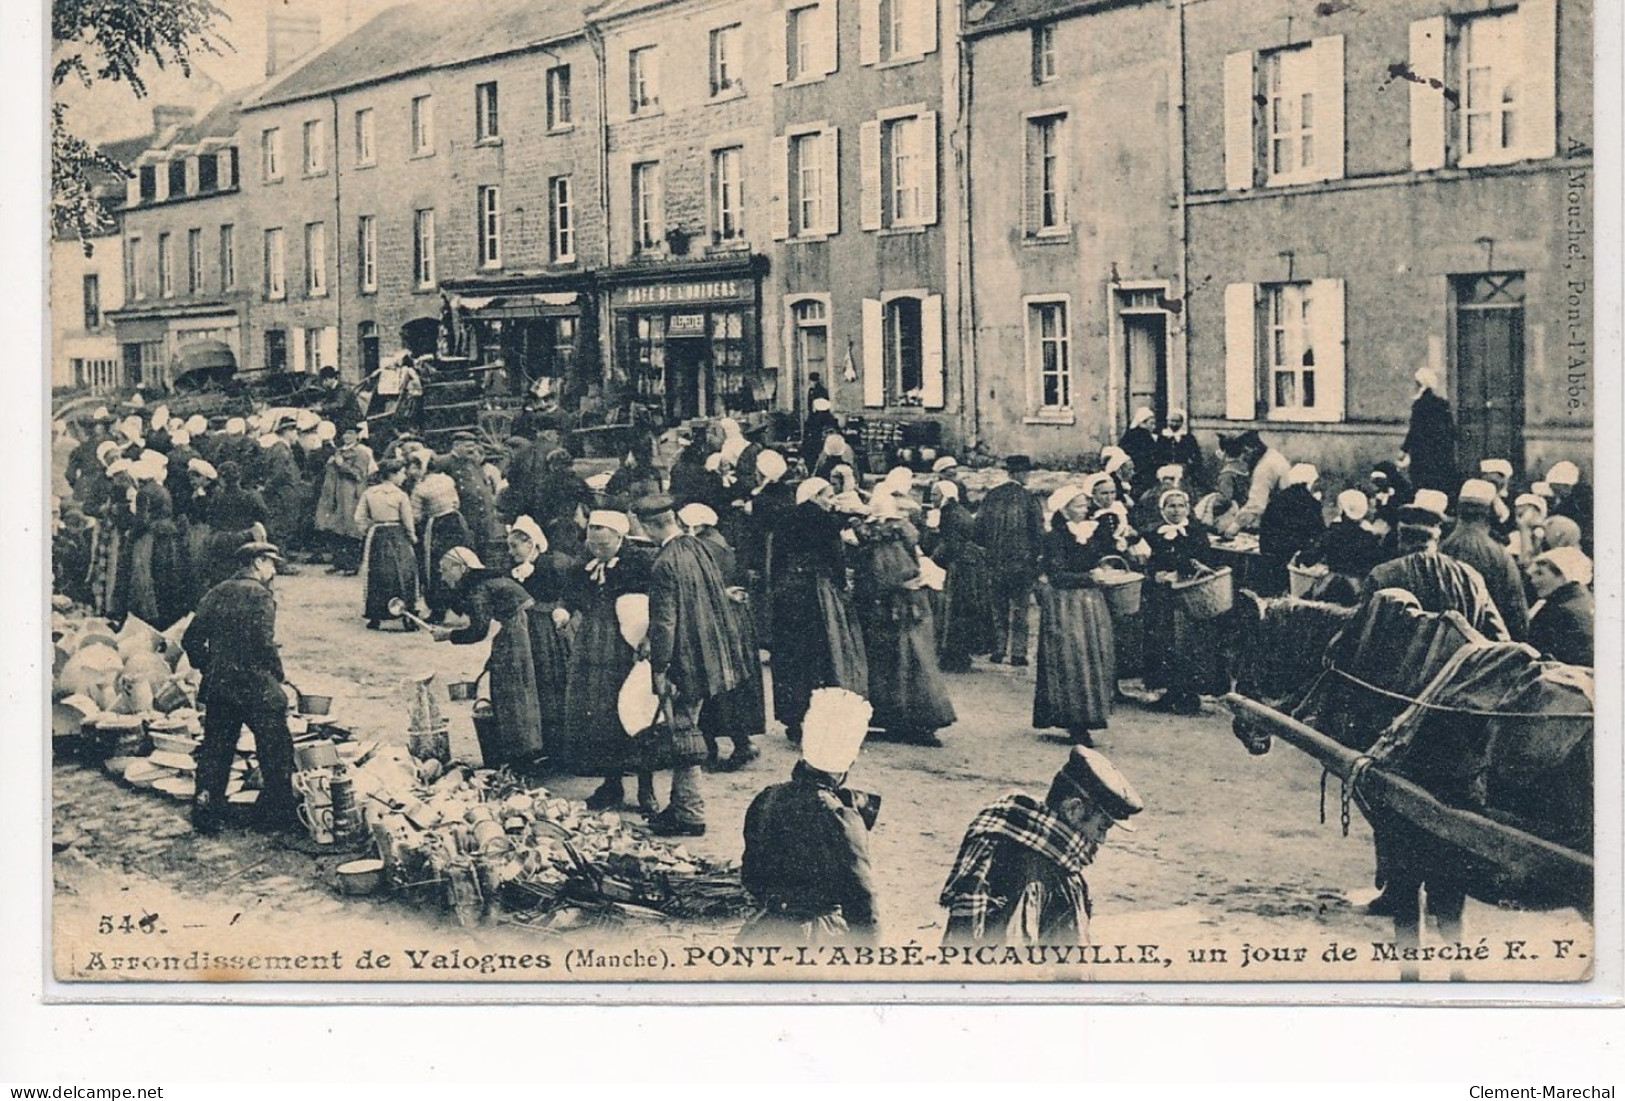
column 1380, row 191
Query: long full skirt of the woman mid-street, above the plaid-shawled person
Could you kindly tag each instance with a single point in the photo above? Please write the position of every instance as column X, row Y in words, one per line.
column 906, row 686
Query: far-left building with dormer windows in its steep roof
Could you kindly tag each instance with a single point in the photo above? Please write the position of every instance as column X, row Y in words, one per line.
column 186, row 301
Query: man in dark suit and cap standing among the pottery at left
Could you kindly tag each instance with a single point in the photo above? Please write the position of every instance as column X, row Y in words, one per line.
column 233, row 644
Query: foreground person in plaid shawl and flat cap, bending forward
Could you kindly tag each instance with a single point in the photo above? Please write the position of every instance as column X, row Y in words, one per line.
column 1020, row 874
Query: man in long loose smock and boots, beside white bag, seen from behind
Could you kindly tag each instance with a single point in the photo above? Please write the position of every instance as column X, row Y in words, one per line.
column 695, row 655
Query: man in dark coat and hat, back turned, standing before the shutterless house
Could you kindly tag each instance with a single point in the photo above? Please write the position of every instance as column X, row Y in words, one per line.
column 1010, row 529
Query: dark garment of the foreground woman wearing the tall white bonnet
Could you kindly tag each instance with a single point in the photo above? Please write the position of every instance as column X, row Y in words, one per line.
column 807, row 865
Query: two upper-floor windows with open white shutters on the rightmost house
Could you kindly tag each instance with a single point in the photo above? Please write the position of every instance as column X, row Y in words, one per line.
column 1483, row 92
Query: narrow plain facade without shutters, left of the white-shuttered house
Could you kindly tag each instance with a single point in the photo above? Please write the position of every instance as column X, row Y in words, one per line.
column 1073, row 253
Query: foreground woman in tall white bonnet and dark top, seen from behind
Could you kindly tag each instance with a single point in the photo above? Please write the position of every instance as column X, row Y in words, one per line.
column 807, row 842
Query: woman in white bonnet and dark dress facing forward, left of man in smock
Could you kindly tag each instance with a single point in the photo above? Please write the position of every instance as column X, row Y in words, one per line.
column 592, row 741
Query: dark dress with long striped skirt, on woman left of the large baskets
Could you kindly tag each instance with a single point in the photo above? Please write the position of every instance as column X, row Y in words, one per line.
column 1077, row 647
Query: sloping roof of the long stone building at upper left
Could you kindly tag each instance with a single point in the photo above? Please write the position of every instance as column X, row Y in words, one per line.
column 427, row 35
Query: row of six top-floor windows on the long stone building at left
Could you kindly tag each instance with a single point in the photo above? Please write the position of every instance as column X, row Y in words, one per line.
column 365, row 153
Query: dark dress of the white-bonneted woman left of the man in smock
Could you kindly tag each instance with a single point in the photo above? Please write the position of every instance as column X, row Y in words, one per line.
column 592, row 741
